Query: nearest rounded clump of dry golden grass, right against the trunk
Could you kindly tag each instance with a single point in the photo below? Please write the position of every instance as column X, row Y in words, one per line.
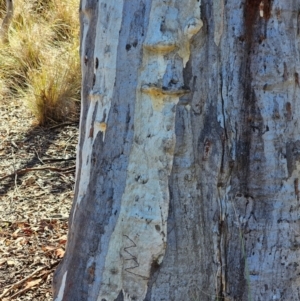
column 53, row 90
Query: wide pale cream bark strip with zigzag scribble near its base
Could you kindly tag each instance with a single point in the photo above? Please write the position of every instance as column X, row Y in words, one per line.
column 139, row 239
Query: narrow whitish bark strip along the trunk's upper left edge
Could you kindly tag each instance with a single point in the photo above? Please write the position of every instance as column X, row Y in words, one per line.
column 100, row 94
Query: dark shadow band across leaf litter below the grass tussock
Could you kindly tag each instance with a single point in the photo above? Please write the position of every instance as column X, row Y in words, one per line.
column 40, row 147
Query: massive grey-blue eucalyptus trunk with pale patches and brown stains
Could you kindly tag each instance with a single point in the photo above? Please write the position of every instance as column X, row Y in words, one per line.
column 189, row 154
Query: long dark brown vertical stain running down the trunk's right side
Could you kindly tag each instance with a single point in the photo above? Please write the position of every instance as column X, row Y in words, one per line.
column 248, row 171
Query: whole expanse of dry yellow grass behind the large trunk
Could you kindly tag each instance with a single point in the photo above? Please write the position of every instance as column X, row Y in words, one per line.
column 40, row 64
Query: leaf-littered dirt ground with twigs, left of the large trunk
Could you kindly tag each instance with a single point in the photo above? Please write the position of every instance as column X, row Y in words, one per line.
column 37, row 173
